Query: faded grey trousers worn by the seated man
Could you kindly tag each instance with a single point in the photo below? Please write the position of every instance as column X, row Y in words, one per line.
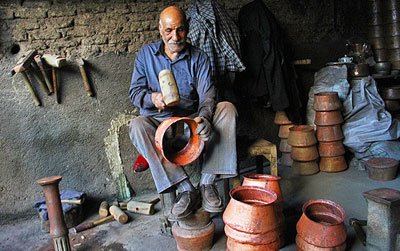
column 219, row 155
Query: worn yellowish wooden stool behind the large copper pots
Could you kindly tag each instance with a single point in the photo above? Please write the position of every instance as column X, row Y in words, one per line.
column 253, row 148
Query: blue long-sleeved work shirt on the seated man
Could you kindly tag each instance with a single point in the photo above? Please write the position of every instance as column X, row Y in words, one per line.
column 192, row 71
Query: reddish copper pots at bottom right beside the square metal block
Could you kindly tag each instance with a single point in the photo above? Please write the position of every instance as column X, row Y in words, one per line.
column 321, row 226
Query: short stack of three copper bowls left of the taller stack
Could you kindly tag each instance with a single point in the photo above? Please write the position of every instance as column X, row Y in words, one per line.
column 304, row 149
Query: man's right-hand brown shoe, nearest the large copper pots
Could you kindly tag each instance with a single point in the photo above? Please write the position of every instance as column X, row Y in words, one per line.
column 210, row 198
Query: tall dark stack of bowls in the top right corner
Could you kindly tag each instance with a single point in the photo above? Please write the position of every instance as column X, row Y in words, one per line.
column 384, row 30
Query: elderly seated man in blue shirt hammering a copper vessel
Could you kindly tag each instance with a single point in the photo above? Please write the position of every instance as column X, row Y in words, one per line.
column 216, row 123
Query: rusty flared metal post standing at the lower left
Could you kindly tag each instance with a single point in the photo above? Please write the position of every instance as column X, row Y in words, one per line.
column 58, row 229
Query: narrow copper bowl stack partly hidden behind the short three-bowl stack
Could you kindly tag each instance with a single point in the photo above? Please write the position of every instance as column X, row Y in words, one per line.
column 284, row 124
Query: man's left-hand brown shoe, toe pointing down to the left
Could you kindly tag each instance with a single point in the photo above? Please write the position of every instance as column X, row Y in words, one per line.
column 184, row 205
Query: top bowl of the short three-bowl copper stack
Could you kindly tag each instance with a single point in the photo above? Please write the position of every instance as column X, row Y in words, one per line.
column 301, row 135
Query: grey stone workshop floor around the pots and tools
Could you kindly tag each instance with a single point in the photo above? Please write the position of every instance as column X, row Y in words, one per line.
column 143, row 232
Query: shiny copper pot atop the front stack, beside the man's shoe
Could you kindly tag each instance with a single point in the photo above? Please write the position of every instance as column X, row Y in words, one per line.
column 251, row 210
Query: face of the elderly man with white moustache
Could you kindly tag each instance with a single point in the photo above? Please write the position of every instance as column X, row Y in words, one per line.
column 173, row 33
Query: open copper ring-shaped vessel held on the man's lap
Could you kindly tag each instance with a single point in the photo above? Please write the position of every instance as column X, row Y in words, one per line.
column 187, row 154
